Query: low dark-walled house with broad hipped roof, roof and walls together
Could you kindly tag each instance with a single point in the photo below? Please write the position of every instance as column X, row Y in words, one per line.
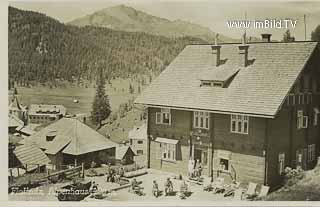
column 69, row 141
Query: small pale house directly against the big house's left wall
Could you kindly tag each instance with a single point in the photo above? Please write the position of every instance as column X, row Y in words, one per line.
column 138, row 139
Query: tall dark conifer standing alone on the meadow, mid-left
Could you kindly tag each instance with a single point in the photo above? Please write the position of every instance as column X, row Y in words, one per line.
column 100, row 108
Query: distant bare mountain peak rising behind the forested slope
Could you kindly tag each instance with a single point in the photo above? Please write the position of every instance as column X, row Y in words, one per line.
column 126, row 18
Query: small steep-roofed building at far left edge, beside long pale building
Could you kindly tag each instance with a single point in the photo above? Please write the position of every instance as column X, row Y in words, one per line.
column 18, row 110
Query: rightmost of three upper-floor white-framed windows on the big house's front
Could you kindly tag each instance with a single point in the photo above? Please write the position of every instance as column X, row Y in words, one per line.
column 239, row 124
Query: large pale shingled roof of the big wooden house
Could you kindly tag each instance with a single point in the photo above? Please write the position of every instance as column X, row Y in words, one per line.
column 258, row 89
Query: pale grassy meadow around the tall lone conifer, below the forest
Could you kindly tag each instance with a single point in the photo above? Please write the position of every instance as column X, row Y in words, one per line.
column 118, row 92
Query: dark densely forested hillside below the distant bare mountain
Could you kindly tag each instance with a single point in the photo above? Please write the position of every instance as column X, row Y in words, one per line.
column 41, row 49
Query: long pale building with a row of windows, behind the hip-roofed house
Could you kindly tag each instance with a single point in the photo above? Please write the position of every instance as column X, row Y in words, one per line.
column 43, row 113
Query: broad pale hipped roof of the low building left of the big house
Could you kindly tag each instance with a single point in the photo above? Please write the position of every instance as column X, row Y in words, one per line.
column 72, row 137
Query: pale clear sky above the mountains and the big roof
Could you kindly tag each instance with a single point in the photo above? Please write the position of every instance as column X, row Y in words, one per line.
column 211, row 14
